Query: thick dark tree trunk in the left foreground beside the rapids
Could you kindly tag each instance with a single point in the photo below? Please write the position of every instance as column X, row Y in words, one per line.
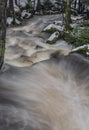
column 3, row 4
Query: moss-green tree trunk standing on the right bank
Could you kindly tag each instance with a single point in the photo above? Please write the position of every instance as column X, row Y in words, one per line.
column 68, row 15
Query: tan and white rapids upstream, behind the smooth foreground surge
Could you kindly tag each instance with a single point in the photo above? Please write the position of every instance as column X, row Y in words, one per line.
column 26, row 44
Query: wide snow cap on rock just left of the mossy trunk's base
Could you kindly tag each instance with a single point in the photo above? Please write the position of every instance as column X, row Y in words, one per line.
column 54, row 27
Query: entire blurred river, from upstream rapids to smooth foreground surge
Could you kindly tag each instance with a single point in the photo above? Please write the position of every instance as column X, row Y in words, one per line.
column 49, row 95
